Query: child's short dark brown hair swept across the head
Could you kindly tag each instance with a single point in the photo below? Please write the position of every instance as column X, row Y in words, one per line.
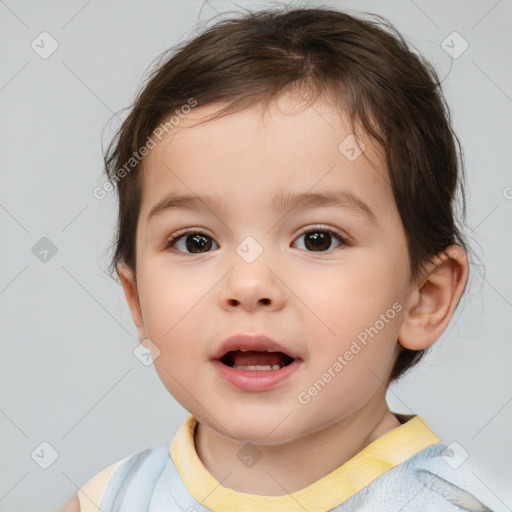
column 366, row 65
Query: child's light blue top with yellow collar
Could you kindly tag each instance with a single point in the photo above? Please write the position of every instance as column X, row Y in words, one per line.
column 408, row 469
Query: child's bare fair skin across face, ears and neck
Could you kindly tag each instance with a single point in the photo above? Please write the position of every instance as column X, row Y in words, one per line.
column 314, row 302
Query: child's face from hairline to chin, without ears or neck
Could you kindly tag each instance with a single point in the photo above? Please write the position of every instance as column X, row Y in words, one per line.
column 314, row 300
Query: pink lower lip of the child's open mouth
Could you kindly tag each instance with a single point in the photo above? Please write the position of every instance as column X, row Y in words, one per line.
column 255, row 380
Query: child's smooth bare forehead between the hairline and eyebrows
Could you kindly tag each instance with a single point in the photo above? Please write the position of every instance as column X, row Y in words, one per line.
column 293, row 145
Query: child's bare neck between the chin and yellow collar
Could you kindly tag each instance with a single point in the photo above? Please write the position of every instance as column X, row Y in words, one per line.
column 281, row 469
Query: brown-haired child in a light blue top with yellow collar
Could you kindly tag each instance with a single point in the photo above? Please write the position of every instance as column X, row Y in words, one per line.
column 287, row 247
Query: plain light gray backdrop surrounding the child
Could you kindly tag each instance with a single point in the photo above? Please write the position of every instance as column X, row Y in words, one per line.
column 67, row 372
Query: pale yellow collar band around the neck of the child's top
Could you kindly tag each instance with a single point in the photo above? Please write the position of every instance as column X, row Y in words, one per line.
column 383, row 454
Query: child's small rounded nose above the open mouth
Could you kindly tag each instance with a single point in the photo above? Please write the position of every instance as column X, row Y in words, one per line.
column 252, row 286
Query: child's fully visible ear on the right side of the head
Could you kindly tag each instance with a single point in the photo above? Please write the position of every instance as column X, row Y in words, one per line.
column 432, row 303
